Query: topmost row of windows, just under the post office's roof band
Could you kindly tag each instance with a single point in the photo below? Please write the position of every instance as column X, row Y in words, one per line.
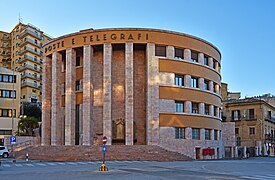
column 179, row 54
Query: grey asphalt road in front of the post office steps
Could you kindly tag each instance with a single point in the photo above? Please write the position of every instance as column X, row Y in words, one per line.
column 253, row 168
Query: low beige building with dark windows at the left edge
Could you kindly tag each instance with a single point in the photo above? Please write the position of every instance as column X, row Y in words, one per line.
column 9, row 102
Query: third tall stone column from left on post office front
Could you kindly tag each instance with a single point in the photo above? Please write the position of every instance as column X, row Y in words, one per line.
column 70, row 97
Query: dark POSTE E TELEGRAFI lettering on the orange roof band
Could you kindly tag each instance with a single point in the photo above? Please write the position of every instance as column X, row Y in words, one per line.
column 98, row 38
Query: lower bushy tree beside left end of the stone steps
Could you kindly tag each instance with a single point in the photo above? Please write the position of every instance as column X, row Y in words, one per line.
column 26, row 126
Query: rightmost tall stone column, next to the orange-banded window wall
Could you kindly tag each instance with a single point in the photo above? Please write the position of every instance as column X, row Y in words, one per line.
column 152, row 109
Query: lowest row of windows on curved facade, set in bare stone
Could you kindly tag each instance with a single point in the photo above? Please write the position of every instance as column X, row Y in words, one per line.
column 180, row 134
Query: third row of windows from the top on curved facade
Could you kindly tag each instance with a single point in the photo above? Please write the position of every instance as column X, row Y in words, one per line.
column 179, row 107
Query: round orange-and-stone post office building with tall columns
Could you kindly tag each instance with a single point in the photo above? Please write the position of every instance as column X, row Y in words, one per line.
column 135, row 86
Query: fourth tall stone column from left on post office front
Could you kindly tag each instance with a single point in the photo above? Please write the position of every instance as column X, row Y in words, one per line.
column 88, row 121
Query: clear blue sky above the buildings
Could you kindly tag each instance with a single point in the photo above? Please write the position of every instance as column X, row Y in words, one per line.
column 244, row 31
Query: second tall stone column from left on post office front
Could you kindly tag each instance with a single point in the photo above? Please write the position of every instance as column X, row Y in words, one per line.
column 56, row 121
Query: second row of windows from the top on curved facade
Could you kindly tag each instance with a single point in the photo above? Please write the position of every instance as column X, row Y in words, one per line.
column 179, row 81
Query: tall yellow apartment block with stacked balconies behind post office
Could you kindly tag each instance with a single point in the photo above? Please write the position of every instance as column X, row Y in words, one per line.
column 23, row 48
